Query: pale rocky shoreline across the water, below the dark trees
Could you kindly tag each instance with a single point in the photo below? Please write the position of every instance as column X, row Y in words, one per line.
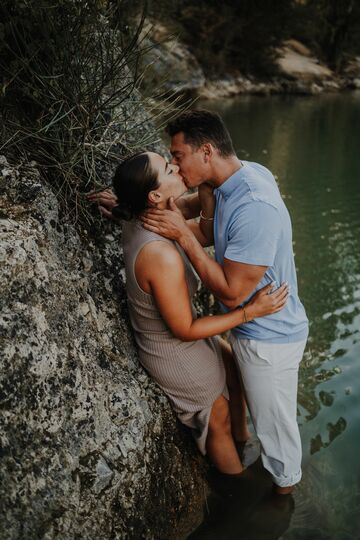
column 172, row 67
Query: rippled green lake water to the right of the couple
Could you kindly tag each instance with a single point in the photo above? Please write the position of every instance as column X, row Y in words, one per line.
column 312, row 145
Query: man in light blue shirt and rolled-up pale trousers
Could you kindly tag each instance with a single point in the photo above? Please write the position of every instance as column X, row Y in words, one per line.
column 253, row 247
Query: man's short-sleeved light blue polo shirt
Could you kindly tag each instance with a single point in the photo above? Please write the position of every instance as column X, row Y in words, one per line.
column 252, row 225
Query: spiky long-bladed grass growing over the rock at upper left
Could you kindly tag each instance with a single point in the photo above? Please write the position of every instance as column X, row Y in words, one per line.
column 69, row 99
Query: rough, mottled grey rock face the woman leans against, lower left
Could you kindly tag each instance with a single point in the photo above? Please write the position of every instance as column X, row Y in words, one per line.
column 89, row 445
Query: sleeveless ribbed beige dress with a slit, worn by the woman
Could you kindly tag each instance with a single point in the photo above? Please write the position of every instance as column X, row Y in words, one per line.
column 191, row 374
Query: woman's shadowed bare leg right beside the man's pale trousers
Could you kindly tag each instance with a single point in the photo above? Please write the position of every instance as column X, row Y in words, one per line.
column 237, row 395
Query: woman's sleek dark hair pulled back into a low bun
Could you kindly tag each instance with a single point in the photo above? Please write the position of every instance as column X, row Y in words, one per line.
column 133, row 180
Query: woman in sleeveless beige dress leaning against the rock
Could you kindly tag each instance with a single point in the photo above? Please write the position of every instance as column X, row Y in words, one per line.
column 178, row 350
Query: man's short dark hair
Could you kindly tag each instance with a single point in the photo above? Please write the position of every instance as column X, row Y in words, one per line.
column 200, row 127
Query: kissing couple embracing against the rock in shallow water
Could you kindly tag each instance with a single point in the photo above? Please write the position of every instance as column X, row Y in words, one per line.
column 208, row 381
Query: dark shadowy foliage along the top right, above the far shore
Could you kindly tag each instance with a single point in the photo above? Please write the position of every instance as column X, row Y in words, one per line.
column 245, row 34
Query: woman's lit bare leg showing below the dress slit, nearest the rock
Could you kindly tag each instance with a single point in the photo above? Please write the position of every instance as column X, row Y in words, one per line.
column 220, row 444
